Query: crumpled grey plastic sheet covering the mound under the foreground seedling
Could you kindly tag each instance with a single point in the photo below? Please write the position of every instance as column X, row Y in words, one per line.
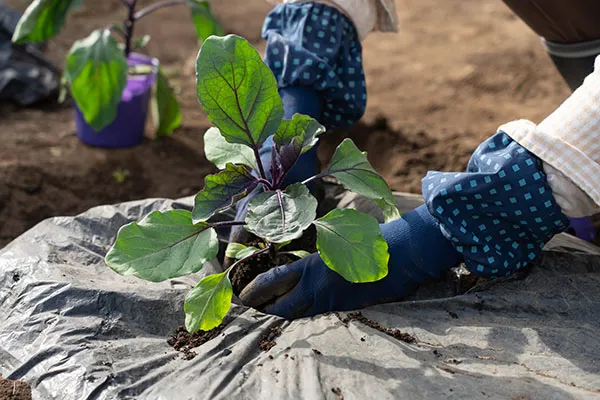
column 74, row 329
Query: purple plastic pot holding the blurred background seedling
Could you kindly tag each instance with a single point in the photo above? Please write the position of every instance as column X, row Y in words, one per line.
column 128, row 127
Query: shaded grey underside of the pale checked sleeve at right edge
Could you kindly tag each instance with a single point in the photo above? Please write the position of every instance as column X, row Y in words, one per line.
column 572, row 200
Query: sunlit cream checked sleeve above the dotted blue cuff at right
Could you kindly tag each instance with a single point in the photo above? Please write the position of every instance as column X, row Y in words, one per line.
column 569, row 139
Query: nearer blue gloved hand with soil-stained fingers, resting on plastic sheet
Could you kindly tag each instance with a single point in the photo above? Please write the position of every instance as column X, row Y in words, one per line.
column 418, row 253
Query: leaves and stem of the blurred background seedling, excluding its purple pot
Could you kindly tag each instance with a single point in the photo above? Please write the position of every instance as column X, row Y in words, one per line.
column 97, row 67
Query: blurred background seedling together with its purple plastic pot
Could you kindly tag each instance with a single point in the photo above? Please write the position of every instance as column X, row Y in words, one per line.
column 111, row 84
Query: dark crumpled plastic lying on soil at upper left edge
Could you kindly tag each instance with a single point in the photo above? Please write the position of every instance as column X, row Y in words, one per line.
column 26, row 77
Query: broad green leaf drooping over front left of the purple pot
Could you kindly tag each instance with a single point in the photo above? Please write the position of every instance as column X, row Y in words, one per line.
column 97, row 71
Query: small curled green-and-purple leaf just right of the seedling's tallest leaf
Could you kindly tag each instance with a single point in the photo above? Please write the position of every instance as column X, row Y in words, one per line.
column 295, row 137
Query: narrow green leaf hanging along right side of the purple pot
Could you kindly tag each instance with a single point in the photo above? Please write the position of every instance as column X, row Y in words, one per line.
column 165, row 108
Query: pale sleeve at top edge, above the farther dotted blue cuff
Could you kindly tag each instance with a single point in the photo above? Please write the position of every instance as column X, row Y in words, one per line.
column 367, row 15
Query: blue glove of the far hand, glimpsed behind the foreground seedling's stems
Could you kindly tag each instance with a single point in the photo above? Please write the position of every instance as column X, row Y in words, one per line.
column 296, row 100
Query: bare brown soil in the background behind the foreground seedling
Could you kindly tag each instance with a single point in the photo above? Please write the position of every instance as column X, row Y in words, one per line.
column 453, row 74
